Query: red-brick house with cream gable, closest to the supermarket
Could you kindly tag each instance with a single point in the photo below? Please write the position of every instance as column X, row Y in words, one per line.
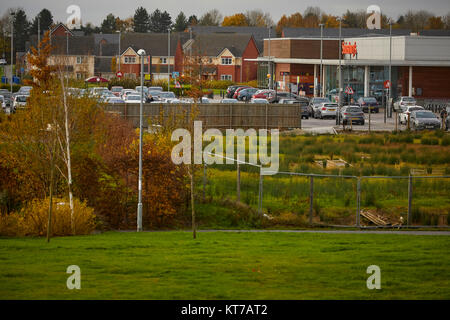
column 224, row 55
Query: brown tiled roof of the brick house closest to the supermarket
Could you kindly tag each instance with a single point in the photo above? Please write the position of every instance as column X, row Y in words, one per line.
column 213, row 44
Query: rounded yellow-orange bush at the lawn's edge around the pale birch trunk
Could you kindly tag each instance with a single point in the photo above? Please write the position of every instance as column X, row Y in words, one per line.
column 33, row 219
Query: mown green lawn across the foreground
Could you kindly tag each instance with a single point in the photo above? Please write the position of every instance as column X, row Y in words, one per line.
column 171, row 265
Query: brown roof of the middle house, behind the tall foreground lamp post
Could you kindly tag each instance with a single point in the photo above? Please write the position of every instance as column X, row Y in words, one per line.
column 155, row 44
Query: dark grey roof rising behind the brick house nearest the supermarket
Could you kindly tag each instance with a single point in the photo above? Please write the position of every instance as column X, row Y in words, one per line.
column 258, row 33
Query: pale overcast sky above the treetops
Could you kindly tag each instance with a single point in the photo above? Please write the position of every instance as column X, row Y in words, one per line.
column 96, row 10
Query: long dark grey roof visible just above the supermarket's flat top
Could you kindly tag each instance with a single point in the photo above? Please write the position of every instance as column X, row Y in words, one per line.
column 345, row 32
